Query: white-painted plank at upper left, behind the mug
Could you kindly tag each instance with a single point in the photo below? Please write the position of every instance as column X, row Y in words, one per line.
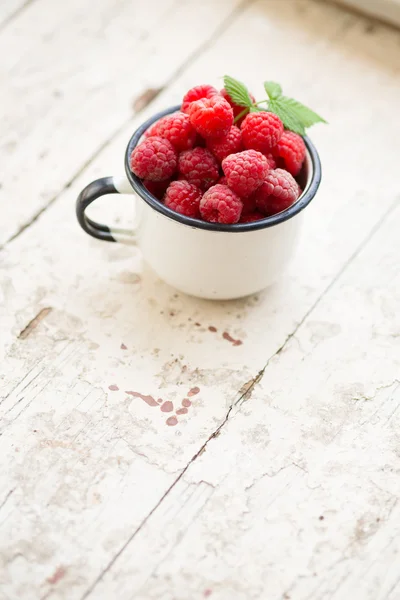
column 70, row 79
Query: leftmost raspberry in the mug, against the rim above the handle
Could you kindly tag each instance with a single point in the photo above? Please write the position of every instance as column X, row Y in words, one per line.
column 154, row 159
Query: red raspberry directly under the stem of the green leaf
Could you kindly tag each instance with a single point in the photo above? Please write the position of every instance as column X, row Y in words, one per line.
column 261, row 131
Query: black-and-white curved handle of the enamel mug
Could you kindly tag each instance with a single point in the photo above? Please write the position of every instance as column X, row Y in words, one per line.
column 101, row 187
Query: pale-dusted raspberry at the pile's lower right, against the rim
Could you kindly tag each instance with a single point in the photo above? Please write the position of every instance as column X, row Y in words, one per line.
column 278, row 192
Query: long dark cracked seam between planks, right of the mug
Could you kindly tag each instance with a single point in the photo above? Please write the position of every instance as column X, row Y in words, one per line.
column 245, row 393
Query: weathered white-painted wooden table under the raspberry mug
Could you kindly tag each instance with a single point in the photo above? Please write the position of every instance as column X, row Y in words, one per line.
column 143, row 455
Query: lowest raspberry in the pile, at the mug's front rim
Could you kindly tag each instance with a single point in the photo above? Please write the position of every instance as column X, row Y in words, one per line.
column 220, row 205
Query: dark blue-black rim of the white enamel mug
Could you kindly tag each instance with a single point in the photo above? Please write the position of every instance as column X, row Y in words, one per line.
column 290, row 212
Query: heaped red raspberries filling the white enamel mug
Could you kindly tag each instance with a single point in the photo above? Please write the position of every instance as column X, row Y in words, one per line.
column 210, row 162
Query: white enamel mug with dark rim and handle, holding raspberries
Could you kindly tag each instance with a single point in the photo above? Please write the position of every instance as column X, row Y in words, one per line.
column 202, row 259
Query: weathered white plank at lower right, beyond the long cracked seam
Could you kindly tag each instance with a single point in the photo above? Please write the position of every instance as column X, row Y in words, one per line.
column 299, row 495
